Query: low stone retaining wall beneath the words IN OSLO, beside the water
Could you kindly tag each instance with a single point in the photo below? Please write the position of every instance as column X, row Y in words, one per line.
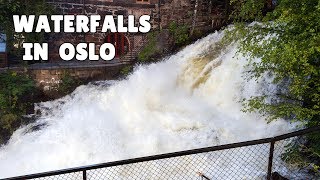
column 48, row 78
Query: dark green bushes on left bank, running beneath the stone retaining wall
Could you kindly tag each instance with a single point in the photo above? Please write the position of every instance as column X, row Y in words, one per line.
column 18, row 93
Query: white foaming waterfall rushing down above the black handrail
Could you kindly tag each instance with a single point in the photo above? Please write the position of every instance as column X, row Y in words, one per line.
column 190, row 100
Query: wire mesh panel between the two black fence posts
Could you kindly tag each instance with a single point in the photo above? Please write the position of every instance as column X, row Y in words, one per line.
column 238, row 163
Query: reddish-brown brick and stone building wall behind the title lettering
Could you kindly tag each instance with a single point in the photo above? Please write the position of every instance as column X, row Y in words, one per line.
column 199, row 15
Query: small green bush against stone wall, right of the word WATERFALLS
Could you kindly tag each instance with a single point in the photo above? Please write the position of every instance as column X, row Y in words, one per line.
column 179, row 33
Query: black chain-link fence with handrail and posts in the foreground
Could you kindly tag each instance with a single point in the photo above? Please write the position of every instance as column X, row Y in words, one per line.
column 271, row 158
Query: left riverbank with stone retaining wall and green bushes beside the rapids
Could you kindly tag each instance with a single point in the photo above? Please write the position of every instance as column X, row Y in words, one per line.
column 48, row 81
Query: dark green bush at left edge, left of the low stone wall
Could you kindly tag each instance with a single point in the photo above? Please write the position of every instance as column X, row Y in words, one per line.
column 15, row 92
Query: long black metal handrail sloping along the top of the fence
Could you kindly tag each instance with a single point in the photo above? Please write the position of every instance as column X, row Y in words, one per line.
column 169, row 155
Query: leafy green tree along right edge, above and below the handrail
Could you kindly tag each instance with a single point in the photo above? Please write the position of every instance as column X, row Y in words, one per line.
column 287, row 40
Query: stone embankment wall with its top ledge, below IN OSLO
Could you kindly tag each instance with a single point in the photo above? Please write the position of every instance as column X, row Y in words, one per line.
column 48, row 76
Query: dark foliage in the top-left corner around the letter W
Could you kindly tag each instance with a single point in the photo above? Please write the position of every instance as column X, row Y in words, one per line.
column 8, row 8
